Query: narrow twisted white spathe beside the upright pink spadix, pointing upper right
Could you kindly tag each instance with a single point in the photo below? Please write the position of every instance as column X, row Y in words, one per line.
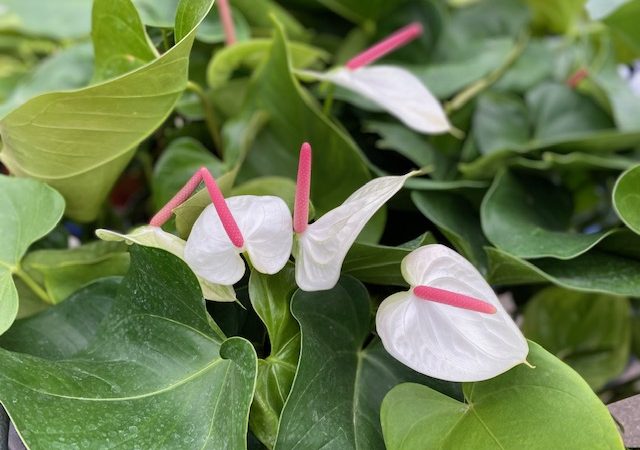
column 322, row 247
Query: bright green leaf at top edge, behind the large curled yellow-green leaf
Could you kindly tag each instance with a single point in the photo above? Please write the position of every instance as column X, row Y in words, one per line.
column 119, row 39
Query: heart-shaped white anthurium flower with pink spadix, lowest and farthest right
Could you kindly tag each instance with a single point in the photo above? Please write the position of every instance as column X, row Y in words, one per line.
column 449, row 324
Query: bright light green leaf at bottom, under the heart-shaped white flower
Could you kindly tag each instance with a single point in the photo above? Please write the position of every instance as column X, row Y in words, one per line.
column 542, row 408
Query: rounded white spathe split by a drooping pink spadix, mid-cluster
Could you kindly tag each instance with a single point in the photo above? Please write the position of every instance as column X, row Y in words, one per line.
column 265, row 223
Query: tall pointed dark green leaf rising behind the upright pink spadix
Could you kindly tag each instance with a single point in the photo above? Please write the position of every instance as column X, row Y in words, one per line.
column 294, row 119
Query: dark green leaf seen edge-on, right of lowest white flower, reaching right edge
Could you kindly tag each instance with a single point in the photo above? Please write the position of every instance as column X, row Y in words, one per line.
column 594, row 271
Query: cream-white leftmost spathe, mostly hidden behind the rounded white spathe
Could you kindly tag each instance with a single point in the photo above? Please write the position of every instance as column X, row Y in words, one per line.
column 152, row 236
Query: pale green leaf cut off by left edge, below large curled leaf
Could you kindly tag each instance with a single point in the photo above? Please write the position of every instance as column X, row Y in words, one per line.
column 30, row 210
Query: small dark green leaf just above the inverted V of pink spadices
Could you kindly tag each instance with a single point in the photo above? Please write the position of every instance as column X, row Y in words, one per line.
column 179, row 161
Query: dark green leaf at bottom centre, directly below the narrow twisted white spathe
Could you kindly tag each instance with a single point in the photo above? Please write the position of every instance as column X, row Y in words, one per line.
column 336, row 395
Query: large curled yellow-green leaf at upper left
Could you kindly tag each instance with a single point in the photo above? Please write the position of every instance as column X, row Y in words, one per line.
column 79, row 141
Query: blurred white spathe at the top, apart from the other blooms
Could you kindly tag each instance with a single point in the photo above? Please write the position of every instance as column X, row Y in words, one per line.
column 397, row 91
